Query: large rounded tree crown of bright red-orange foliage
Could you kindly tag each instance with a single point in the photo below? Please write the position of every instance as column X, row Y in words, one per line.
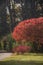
column 31, row 30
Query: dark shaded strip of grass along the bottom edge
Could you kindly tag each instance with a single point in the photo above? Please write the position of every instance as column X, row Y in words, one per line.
column 13, row 62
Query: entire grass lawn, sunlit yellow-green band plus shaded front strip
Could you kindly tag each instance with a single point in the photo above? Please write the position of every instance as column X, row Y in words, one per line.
column 26, row 59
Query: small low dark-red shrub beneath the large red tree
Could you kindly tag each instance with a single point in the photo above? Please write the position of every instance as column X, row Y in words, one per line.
column 21, row 49
